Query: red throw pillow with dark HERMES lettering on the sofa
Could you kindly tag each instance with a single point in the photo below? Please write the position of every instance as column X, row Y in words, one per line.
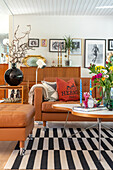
column 67, row 90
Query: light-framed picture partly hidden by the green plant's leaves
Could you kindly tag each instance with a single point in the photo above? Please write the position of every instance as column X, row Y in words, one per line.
column 77, row 44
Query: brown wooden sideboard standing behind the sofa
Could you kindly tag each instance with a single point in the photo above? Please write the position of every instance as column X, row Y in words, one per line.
column 30, row 73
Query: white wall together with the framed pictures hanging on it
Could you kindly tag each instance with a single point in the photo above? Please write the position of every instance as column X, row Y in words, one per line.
column 92, row 36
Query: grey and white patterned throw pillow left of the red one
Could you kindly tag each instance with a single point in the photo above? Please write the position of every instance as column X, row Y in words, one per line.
column 51, row 90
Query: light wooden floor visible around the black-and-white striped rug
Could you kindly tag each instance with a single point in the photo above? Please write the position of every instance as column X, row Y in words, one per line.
column 6, row 147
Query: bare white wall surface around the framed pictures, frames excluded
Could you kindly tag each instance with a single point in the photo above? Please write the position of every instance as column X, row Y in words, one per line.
column 49, row 27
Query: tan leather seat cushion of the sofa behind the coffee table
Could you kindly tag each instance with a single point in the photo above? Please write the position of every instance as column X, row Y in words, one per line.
column 47, row 106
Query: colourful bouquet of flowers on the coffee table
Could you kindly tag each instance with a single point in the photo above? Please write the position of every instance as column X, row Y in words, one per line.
column 103, row 77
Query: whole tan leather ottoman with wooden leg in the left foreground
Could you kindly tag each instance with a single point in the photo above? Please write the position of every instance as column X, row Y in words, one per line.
column 16, row 122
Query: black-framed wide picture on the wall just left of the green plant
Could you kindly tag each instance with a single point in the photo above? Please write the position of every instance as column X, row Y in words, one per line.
column 56, row 45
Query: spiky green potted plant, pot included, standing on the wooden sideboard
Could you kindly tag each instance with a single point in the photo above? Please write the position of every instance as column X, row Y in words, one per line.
column 69, row 45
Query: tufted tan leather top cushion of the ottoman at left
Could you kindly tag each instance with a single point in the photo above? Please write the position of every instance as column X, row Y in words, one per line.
column 16, row 115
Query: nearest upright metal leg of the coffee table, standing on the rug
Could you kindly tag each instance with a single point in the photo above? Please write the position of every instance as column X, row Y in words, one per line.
column 99, row 129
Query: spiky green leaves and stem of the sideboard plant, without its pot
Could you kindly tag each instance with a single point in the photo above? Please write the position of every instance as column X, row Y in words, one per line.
column 69, row 45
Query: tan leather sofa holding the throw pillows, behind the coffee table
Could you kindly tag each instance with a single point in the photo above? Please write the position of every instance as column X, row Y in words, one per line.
column 44, row 111
